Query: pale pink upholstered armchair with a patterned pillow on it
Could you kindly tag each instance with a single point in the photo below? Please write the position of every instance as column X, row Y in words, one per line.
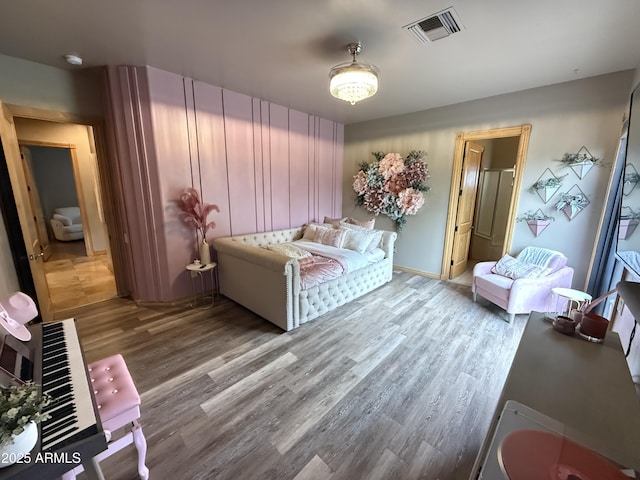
column 522, row 284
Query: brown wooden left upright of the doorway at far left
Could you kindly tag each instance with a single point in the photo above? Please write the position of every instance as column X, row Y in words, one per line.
column 23, row 205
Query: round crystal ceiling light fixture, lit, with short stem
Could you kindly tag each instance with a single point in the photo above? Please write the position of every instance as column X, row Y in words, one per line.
column 353, row 81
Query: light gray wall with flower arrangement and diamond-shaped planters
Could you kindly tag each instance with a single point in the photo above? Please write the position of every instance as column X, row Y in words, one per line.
column 564, row 117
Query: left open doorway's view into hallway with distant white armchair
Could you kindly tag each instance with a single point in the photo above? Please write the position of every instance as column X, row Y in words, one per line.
column 78, row 267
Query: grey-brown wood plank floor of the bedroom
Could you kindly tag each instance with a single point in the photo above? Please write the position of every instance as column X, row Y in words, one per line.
column 400, row 384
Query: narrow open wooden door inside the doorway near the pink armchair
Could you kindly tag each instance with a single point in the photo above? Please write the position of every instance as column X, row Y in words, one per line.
column 466, row 206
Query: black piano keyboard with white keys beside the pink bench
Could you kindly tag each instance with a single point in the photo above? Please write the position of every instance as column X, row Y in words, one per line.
column 73, row 433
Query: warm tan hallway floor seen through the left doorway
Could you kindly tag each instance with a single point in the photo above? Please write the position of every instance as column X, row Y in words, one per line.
column 74, row 279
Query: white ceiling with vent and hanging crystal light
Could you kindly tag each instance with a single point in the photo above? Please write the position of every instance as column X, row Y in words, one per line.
column 282, row 50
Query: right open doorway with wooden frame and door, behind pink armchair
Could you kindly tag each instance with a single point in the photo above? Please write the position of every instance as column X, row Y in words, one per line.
column 485, row 186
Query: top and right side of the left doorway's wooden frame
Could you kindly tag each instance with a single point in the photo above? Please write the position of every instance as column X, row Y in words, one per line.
column 105, row 181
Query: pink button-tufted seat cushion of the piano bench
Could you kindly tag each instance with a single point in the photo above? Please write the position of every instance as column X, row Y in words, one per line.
column 113, row 387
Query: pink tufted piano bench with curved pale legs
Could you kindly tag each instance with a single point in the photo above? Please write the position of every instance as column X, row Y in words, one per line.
column 119, row 406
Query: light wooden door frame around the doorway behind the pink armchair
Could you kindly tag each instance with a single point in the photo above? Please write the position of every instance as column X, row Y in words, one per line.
column 522, row 131
